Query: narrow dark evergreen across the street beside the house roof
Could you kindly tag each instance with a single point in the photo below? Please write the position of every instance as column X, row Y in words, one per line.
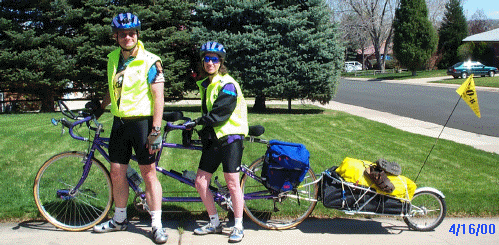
column 451, row 33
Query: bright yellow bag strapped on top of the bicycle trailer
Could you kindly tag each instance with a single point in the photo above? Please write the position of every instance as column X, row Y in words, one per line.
column 352, row 170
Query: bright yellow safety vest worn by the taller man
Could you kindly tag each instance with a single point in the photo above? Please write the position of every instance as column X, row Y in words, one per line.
column 136, row 97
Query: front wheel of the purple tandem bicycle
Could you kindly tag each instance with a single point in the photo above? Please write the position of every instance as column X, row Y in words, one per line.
column 68, row 208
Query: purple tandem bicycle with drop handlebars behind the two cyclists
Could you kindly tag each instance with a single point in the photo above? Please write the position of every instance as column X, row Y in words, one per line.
column 73, row 190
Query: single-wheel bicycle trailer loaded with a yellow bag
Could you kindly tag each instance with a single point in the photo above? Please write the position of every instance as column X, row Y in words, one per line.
column 348, row 188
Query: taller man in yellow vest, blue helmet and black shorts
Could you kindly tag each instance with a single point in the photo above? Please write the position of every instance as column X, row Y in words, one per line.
column 136, row 95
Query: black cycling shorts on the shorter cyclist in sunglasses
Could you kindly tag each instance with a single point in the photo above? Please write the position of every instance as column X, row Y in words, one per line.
column 229, row 155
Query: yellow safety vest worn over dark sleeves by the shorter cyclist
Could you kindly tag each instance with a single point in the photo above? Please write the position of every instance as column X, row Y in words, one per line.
column 238, row 121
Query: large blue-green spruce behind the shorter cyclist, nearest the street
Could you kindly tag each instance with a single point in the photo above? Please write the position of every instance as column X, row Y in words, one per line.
column 279, row 49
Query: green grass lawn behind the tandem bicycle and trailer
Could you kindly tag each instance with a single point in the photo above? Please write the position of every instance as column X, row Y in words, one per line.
column 468, row 177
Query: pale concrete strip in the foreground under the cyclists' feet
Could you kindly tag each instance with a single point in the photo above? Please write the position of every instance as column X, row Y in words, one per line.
column 358, row 230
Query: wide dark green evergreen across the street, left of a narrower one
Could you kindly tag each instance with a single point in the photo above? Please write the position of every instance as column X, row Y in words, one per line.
column 414, row 39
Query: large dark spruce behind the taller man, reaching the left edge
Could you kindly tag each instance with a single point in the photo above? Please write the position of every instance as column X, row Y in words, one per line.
column 49, row 44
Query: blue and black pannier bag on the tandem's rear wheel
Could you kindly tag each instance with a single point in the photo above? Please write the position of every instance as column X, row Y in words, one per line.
column 285, row 165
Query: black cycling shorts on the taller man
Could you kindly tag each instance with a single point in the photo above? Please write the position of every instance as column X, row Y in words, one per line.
column 127, row 134
